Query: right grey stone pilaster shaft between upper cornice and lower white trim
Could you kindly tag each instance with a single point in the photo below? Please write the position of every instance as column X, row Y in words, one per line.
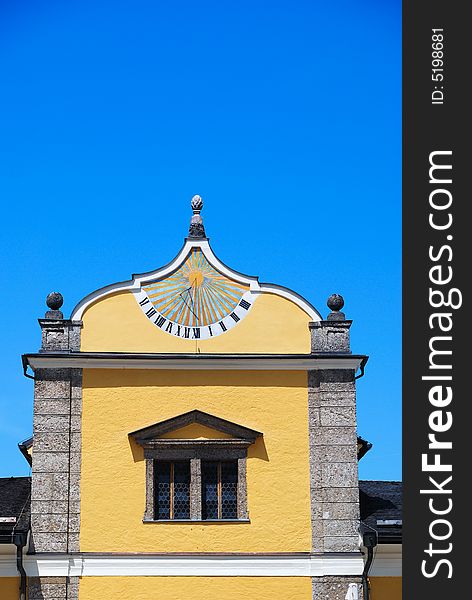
column 333, row 461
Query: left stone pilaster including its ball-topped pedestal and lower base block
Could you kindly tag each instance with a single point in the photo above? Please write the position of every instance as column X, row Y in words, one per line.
column 55, row 492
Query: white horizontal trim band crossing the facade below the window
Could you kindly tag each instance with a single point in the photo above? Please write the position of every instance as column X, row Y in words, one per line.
column 60, row 565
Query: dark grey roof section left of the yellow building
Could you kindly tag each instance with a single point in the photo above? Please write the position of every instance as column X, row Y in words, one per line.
column 14, row 502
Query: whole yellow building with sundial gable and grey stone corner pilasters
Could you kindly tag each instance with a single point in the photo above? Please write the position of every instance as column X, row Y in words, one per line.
column 195, row 437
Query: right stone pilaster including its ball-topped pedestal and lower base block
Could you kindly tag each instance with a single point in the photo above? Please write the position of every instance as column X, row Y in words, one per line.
column 334, row 484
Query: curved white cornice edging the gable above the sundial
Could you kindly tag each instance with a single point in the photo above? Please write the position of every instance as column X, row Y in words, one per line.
column 138, row 280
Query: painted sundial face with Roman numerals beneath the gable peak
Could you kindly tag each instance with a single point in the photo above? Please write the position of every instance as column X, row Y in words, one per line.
column 195, row 301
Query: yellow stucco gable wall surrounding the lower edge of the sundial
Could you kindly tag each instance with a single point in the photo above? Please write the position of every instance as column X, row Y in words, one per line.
column 117, row 324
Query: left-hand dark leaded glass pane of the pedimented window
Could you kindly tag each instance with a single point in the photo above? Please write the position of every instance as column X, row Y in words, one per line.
column 172, row 490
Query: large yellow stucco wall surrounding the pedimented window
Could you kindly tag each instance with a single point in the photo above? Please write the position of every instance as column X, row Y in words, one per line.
column 116, row 402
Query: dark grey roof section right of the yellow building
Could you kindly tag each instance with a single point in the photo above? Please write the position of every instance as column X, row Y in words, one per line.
column 382, row 501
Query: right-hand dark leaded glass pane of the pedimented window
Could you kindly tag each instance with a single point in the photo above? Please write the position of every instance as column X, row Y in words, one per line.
column 219, row 490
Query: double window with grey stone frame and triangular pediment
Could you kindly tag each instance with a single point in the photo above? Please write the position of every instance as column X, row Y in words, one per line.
column 196, row 478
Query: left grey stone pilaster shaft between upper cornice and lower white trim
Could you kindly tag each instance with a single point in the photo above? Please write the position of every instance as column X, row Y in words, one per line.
column 55, row 493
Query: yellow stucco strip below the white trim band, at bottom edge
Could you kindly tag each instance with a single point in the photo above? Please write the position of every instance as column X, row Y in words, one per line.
column 195, row 588
